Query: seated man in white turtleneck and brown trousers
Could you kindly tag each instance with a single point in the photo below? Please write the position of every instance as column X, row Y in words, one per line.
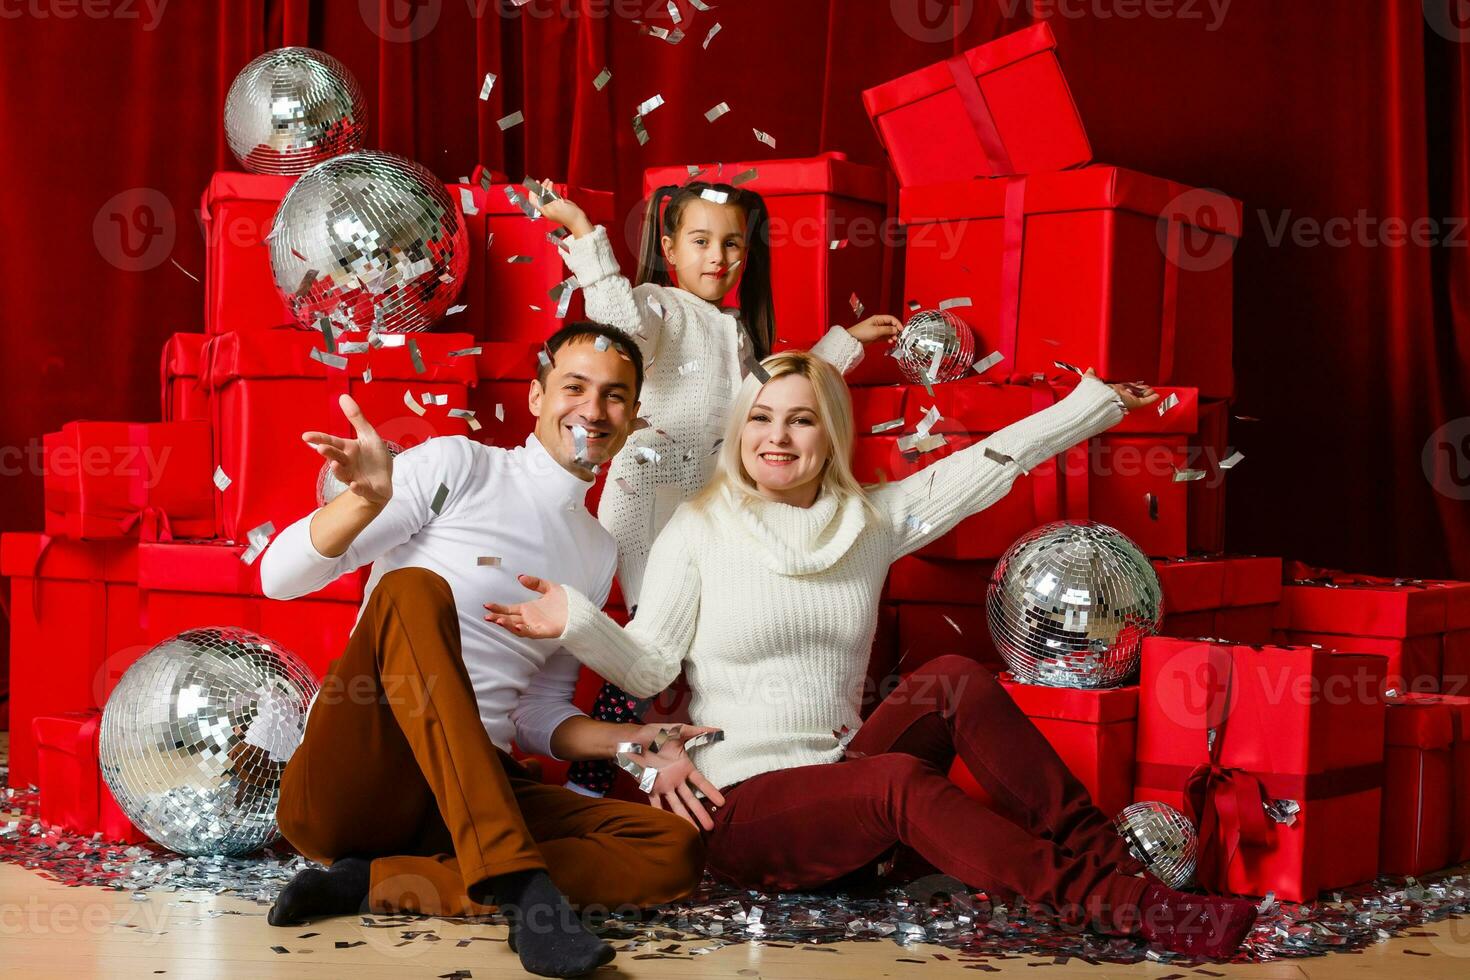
column 404, row 782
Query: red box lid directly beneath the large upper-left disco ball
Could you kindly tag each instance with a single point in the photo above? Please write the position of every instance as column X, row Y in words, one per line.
column 261, row 355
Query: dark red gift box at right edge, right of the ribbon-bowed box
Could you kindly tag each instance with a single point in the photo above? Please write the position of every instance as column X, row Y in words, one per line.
column 1419, row 785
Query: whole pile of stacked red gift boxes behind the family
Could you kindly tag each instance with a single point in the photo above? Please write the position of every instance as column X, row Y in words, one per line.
column 1050, row 259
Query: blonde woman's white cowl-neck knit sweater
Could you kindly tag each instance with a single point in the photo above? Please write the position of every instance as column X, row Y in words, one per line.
column 774, row 606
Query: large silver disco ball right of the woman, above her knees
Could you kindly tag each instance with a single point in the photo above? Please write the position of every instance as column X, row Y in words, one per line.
column 1071, row 603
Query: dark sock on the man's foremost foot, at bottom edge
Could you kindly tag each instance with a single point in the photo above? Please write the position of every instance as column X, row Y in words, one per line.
column 546, row 932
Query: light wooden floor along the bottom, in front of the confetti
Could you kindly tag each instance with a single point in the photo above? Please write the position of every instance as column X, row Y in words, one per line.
column 52, row 931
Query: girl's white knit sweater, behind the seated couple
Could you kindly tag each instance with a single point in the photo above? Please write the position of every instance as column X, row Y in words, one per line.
column 696, row 356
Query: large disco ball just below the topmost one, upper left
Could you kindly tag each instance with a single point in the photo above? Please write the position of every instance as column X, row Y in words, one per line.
column 368, row 242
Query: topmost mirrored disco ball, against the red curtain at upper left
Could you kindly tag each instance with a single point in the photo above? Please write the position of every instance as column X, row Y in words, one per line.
column 292, row 109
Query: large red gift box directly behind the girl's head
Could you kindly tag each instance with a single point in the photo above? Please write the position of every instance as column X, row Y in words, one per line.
column 812, row 203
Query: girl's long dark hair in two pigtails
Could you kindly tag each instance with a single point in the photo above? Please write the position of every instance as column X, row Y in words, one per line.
column 664, row 217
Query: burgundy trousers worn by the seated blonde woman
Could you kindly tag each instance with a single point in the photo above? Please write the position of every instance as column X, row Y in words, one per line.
column 1041, row 840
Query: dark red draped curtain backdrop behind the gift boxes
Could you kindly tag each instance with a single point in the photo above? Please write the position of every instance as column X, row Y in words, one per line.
column 1350, row 352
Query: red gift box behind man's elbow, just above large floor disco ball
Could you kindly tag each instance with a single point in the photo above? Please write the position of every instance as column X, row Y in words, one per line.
column 187, row 586
